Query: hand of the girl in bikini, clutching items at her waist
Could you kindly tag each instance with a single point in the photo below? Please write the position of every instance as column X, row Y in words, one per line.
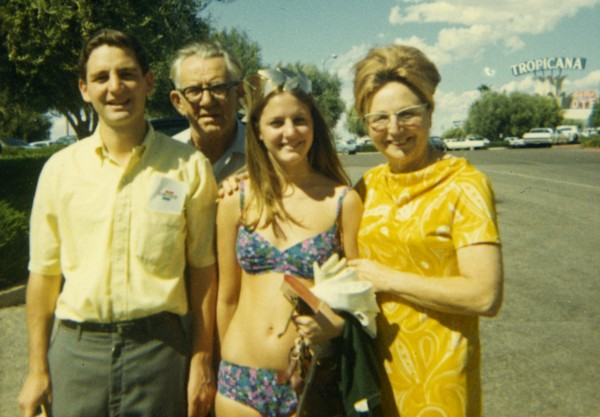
column 321, row 327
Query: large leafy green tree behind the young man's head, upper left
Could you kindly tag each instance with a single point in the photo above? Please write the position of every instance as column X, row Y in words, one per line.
column 42, row 39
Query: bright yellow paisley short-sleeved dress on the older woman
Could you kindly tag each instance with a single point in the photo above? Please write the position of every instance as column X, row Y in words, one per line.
column 415, row 222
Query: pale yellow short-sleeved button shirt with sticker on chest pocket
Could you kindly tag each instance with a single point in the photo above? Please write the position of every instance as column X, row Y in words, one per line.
column 122, row 236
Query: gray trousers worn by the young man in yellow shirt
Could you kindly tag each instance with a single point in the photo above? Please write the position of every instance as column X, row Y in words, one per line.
column 141, row 373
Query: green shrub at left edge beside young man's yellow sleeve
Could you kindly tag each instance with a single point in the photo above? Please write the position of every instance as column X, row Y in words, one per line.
column 14, row 246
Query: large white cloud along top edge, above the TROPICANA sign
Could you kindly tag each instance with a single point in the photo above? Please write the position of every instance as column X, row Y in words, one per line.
column 472, row 25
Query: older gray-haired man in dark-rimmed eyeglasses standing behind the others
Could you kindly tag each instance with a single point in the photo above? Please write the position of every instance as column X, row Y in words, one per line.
column 206, row 77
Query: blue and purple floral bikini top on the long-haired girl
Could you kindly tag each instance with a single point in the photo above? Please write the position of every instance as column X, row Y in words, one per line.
column 256, row 254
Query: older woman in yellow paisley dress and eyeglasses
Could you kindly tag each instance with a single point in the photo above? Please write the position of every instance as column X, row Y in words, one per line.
column 428, row 242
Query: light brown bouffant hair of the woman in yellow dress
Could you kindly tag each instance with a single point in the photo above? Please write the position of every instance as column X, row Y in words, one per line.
column 401, row 63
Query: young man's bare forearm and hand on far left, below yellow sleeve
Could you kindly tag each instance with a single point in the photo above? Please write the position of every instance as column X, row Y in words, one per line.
column 42, row 293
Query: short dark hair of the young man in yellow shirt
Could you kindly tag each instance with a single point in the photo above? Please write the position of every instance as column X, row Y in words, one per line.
column 116, row 38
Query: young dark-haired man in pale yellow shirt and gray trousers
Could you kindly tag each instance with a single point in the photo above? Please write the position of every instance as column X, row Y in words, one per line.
column 119, row 216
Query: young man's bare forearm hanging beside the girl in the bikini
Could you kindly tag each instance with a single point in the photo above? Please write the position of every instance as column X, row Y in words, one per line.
column 202, row 295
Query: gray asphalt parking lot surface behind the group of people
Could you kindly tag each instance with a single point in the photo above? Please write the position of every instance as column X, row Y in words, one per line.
column 541, row 354
